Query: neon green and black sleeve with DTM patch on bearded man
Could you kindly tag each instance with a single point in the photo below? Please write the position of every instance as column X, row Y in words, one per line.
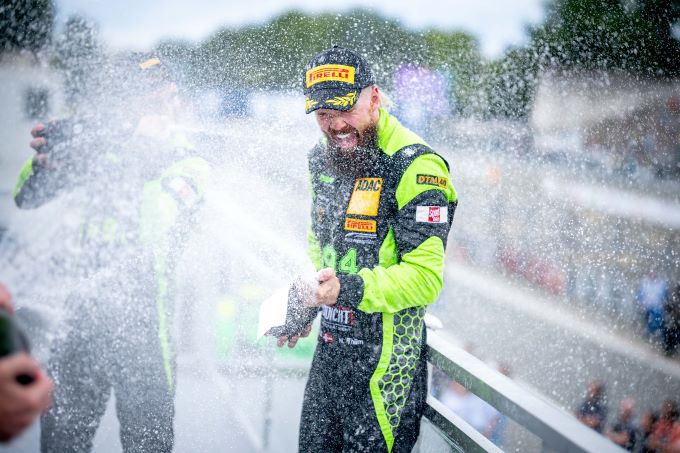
column 411, row 268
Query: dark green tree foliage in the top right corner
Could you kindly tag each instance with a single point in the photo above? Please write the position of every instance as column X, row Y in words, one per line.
column 635, row 36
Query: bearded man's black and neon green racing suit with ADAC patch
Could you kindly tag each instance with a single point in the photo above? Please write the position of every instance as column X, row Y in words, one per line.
column 383, row 228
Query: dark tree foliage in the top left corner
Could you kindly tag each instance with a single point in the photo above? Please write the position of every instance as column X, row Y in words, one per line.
column 25, row 24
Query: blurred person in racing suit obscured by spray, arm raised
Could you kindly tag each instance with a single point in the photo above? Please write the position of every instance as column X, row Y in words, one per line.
column 141, row 192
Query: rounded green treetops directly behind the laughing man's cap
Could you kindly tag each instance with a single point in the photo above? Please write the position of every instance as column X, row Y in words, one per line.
column 273, row 55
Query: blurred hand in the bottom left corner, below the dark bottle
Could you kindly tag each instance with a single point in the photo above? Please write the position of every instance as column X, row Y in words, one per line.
column 21, row 404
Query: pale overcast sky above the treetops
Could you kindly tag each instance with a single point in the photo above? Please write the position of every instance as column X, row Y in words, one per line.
column 138, row 24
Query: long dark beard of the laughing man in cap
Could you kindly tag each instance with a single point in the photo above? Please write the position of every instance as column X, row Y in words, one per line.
column 354, row 161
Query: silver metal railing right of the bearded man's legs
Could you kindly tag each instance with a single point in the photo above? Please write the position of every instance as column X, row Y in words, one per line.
column 557, row 430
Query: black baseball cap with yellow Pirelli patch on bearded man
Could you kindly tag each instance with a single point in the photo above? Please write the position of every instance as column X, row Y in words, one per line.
column 334, row 78
